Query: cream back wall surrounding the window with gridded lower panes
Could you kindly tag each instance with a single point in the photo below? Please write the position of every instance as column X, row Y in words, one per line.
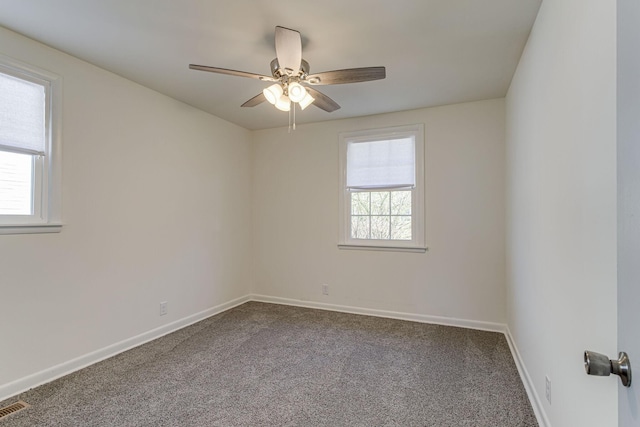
column 296, row 218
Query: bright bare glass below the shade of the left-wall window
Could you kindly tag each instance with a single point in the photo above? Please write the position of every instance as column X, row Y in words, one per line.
column 16, row 172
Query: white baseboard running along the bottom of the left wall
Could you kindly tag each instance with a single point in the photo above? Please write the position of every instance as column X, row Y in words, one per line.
column 23, row 384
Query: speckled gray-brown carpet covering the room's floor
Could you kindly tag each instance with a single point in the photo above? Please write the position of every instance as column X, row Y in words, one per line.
column 272, row 365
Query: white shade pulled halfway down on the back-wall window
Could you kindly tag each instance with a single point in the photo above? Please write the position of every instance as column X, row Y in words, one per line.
column 388, row 163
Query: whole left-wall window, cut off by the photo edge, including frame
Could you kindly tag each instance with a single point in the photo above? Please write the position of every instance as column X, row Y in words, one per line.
column 29, row 149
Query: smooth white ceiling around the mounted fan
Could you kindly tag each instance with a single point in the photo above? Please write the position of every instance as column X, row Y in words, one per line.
column 436, row 52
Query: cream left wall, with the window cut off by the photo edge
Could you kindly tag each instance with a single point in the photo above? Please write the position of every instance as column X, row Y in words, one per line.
column 156, row 207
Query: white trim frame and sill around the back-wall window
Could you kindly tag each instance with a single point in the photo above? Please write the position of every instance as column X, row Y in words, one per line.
column 418, row 243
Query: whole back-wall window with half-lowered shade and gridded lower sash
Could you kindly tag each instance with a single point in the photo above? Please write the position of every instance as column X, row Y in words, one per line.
column 382, row 189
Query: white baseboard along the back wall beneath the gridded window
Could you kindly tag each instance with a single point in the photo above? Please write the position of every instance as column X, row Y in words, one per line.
column 446, row 321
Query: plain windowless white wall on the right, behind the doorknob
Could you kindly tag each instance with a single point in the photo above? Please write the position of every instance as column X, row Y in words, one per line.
column 561, row 207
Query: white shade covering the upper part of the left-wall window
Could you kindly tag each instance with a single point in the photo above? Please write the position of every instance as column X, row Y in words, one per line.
column 22, row 116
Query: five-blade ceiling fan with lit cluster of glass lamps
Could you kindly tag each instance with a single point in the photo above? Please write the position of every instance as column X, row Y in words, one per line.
column 292, row 81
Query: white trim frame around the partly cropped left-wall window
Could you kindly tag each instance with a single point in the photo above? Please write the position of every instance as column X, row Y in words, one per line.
column 49, row 197
